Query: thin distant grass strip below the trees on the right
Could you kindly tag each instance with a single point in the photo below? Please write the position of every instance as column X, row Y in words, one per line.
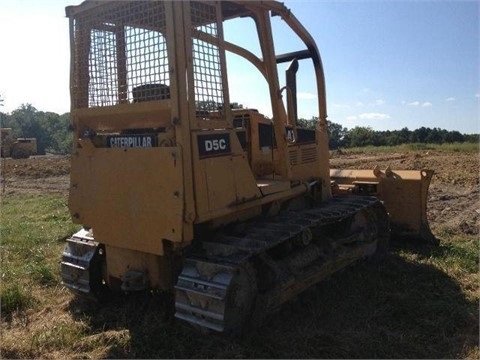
column 453, row 147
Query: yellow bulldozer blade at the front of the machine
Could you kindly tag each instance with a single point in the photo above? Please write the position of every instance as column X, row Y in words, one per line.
column 403, row 192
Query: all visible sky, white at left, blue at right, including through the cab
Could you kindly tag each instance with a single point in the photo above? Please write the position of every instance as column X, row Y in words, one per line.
column 388, row 64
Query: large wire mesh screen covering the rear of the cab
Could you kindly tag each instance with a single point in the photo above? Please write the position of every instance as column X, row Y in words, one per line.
column 121, row 54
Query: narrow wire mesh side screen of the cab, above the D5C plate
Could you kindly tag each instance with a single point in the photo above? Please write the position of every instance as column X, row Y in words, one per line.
column 206, row 59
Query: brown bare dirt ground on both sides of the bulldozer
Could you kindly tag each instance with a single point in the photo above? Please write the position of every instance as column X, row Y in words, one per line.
column 453, row 199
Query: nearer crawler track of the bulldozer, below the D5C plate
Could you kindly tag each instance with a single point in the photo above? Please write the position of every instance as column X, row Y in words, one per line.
column 238, row 279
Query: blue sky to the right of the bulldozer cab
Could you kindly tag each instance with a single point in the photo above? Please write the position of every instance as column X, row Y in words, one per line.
column 394, row 64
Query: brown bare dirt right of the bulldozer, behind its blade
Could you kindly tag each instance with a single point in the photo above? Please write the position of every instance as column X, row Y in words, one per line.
column 453, row 199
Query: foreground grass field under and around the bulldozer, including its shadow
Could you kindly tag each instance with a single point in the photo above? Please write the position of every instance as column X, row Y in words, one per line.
column 421, row 302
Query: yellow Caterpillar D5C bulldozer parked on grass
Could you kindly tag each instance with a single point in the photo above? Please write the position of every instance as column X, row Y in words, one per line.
column 232, row 211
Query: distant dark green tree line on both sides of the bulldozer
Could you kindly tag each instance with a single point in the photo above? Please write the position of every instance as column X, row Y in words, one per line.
column 54, row 136
